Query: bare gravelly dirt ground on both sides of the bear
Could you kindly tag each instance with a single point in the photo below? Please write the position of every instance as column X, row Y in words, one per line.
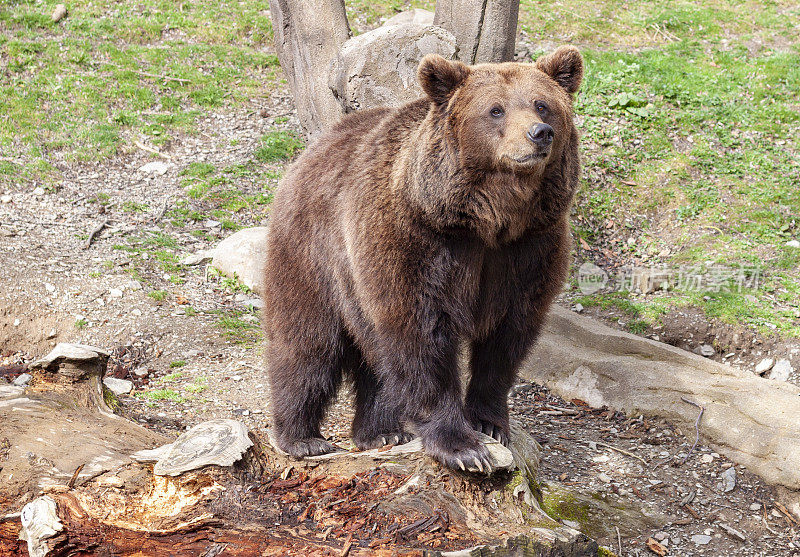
column 57, row 288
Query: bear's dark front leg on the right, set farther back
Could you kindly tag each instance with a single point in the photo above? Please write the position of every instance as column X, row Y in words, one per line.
column 494, row 365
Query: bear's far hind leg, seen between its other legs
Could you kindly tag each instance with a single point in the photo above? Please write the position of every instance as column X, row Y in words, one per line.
column 376, row 422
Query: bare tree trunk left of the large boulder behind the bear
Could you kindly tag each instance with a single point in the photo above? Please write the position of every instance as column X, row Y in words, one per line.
column 308, row 36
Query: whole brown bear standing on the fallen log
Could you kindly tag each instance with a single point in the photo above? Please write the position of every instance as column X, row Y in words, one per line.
column 403, row 233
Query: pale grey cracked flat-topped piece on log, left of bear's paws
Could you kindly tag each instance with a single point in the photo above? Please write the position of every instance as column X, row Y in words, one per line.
column 219, row 442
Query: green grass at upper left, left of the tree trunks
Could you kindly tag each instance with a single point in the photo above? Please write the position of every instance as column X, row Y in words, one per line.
column 113, row 71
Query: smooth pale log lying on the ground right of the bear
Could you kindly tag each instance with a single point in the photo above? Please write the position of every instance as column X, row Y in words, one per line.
column 751, row 420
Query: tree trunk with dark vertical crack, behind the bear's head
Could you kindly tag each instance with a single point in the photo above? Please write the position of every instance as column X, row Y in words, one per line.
column 486, row 31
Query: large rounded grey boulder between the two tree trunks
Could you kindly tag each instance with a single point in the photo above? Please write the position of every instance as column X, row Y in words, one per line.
column 379, row 67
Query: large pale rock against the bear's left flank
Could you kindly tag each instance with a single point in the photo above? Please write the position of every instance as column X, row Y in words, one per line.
column 242, row 254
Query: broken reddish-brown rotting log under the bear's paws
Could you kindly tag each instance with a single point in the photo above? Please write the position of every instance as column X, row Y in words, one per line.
column 82, row 479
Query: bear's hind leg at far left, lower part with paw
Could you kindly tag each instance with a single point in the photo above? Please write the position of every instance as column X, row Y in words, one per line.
column 302, row 386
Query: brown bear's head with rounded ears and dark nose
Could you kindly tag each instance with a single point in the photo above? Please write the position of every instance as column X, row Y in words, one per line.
column 510, row 116
